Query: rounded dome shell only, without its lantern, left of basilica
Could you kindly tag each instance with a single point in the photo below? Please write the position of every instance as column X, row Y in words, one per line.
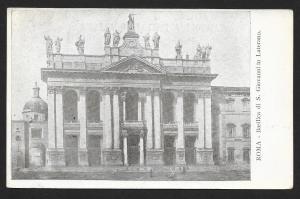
column 37, row 105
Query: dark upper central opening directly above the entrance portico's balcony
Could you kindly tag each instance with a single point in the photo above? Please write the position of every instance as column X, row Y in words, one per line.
column 132, row 106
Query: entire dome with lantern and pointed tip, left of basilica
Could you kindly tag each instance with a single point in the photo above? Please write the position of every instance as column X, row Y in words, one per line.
column 36, row 104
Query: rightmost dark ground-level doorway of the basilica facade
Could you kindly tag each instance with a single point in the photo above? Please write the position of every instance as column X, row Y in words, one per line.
column 190, row 150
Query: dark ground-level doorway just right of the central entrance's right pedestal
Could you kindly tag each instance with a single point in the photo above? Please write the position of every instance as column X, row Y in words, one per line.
column 169, row 150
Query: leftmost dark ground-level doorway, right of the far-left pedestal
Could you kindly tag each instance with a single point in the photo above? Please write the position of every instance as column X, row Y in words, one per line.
column 71, row 150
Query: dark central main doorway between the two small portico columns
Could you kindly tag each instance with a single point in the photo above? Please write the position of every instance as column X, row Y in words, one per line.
column 133, row 149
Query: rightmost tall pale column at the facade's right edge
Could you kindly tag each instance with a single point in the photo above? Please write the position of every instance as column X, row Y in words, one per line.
column 208, row 141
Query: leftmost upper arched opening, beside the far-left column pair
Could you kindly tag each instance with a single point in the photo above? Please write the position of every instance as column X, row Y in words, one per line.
column 70, row 100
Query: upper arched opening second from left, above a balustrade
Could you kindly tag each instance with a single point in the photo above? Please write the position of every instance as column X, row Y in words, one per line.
column 93, row 106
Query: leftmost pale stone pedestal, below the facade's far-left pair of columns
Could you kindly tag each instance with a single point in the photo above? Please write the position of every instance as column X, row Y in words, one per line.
column 55, row 157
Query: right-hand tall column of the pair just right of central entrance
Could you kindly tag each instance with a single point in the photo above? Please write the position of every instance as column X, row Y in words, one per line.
column 157, row 128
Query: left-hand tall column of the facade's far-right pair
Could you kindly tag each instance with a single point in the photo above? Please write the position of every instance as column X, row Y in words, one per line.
column 200, row 119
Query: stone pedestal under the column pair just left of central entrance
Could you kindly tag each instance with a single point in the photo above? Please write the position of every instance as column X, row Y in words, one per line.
column 112, row 157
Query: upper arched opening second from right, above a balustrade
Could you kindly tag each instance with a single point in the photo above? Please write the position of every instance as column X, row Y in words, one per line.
column 168, row 100
